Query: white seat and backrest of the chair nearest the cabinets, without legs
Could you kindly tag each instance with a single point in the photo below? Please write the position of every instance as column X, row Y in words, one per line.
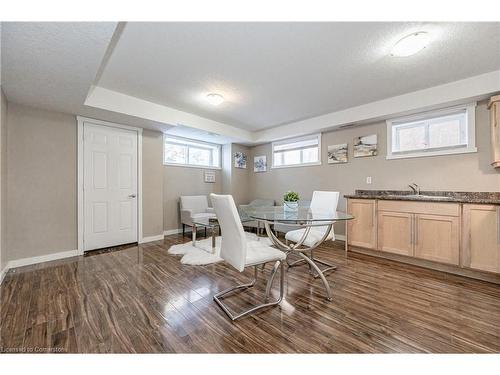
column 322, row 201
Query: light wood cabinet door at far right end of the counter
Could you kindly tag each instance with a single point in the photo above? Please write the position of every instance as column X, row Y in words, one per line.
column 481, row 237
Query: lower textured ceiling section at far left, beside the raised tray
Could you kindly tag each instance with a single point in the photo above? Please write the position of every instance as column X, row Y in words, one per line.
column 52, row 65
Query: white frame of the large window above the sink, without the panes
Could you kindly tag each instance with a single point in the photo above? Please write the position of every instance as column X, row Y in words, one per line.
column 470, row 128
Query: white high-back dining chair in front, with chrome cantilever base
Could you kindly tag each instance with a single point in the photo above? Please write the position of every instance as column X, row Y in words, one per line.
column 241, row 253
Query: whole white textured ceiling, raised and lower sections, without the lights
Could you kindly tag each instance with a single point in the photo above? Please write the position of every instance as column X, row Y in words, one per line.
column 270, row 73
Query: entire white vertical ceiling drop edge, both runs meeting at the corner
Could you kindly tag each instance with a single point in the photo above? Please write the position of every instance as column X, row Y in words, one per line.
column 473, row 88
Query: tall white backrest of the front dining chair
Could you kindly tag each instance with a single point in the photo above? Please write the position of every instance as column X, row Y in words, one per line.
column 234, row 245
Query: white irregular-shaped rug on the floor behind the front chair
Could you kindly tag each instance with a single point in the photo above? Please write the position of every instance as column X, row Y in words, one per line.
column 201, row 254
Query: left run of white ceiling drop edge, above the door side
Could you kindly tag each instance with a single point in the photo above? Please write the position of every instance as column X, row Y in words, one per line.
column 114, row 101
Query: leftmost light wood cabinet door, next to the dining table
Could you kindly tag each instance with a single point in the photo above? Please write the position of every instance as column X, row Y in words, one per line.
column 362, row 230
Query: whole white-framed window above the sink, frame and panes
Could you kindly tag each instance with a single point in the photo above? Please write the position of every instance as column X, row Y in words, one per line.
column 443, row 132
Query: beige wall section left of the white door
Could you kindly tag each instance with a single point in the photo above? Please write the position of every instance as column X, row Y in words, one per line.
column 41, row 184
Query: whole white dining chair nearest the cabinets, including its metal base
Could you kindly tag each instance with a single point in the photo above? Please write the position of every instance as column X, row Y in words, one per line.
column 321, row 201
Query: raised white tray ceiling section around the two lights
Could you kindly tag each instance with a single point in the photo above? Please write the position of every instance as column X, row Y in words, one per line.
column 276, row 73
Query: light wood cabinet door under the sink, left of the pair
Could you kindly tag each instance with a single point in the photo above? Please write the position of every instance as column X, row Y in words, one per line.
column 395, row 232
